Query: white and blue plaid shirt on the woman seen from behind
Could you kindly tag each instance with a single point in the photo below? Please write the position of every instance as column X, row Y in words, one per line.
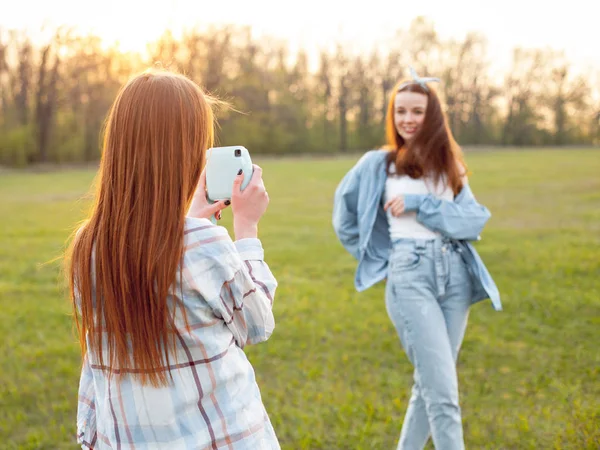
column 213, row 401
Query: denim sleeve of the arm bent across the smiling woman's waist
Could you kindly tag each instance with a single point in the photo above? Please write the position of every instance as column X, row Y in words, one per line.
column 461, row 219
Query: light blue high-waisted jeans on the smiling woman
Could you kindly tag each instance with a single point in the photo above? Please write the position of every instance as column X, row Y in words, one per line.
column 428, row 296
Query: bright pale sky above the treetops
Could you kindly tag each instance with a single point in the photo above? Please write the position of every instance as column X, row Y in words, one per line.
column 313, row 24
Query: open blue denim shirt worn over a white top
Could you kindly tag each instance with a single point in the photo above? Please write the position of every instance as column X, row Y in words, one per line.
column 361, row 224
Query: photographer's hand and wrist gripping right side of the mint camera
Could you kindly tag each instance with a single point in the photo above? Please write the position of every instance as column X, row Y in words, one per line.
column 248, row 205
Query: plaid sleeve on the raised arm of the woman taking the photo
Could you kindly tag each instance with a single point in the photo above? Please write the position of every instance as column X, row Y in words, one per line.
column 234, row 280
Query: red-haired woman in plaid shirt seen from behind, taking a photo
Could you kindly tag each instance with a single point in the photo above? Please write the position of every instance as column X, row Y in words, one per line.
column 164, row 300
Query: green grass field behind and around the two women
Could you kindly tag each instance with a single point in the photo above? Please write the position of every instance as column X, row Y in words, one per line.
column 333, row 375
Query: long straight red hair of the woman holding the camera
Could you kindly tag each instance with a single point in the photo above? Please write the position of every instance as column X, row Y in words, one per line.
column 124, row 260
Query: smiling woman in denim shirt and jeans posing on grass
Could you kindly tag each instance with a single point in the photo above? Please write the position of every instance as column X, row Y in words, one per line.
column 406, row 213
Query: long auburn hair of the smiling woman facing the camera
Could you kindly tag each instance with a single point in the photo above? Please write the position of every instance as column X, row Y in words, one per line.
column 434, row 152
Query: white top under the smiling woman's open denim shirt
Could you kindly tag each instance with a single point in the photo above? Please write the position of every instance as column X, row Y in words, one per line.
column 406, row 226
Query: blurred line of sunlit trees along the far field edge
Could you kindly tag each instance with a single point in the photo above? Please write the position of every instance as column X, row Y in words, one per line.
column 54, row 96
